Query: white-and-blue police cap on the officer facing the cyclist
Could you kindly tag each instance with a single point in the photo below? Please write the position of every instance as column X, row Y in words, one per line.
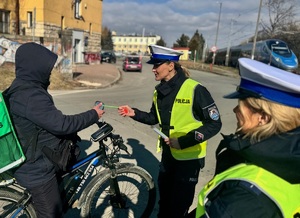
column 160, row 54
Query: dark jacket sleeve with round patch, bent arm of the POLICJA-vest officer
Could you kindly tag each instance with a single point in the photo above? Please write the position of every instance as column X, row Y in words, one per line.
column 204, row 109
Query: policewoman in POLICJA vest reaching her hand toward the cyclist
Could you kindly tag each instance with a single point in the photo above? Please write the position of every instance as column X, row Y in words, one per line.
column 188, row 116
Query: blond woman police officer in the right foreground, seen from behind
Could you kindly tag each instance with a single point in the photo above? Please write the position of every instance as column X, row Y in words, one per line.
column 257, row 171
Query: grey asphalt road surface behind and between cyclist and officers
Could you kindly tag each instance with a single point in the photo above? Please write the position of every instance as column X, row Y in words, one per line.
column 136, row 89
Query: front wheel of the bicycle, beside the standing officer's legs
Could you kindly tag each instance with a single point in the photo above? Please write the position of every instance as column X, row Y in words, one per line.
column 135, row 184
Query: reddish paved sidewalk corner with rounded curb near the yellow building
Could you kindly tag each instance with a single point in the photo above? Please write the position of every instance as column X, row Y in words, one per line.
column 96, row 75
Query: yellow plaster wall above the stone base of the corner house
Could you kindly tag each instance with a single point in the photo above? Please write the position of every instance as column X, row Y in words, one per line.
column 54, row 15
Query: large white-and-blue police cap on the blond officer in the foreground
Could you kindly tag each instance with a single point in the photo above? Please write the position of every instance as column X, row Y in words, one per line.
column 260, row 80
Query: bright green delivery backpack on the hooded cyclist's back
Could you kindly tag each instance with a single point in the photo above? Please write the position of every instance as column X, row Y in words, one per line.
column 11, row 153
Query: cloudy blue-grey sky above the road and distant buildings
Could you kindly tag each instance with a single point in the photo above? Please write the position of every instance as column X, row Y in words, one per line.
column 172, row 18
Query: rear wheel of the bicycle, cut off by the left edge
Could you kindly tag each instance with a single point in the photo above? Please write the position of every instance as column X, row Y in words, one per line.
column 9, row 206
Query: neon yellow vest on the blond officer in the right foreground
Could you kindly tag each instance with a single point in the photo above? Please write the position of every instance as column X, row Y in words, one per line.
column 281, row 192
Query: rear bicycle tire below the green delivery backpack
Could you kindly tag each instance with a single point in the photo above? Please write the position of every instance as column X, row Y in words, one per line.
column 10, row 197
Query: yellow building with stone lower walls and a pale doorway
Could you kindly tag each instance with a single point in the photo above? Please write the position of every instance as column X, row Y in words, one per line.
column 72, row 27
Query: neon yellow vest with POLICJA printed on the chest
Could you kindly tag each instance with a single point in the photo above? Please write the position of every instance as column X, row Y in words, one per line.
column 183, row 121
